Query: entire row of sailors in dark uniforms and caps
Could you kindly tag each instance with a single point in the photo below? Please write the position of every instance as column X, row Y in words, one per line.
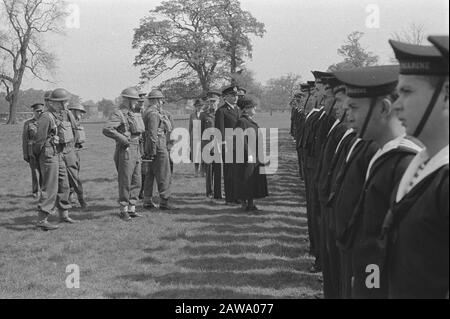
column 372, row 146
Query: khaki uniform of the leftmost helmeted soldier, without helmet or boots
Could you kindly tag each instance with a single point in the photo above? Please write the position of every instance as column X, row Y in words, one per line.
column 55, row 183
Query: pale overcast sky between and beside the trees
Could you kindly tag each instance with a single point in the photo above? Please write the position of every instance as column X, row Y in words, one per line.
column 95, row 60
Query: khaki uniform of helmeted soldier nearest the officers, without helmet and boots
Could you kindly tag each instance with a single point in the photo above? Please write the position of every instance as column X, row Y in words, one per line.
column 157, row 126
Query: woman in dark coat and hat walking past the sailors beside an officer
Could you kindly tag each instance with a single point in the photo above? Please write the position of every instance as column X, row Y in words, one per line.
column 249, row 184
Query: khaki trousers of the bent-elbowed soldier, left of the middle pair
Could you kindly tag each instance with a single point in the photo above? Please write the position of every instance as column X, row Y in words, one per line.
column 128, row 165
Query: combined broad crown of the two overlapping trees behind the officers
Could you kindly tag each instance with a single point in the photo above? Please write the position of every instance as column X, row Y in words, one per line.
column 204, row 38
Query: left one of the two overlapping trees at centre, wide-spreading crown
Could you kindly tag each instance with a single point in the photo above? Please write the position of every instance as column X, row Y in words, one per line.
column 177, row 34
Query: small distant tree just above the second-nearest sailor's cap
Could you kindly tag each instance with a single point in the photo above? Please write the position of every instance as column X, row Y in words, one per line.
column 354, row 54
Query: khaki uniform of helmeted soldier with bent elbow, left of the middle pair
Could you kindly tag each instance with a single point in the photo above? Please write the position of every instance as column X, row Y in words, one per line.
column 127, row 156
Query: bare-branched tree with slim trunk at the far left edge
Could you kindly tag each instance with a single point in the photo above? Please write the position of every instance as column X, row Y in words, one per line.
column 23, row 25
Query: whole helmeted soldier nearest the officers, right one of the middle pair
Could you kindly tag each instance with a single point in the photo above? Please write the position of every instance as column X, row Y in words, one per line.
column 157, row 125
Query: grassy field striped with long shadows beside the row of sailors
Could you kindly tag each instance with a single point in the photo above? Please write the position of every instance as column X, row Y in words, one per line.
column 201, row 250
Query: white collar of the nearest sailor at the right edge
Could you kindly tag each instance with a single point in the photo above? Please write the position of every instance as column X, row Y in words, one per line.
column 413, row 175
